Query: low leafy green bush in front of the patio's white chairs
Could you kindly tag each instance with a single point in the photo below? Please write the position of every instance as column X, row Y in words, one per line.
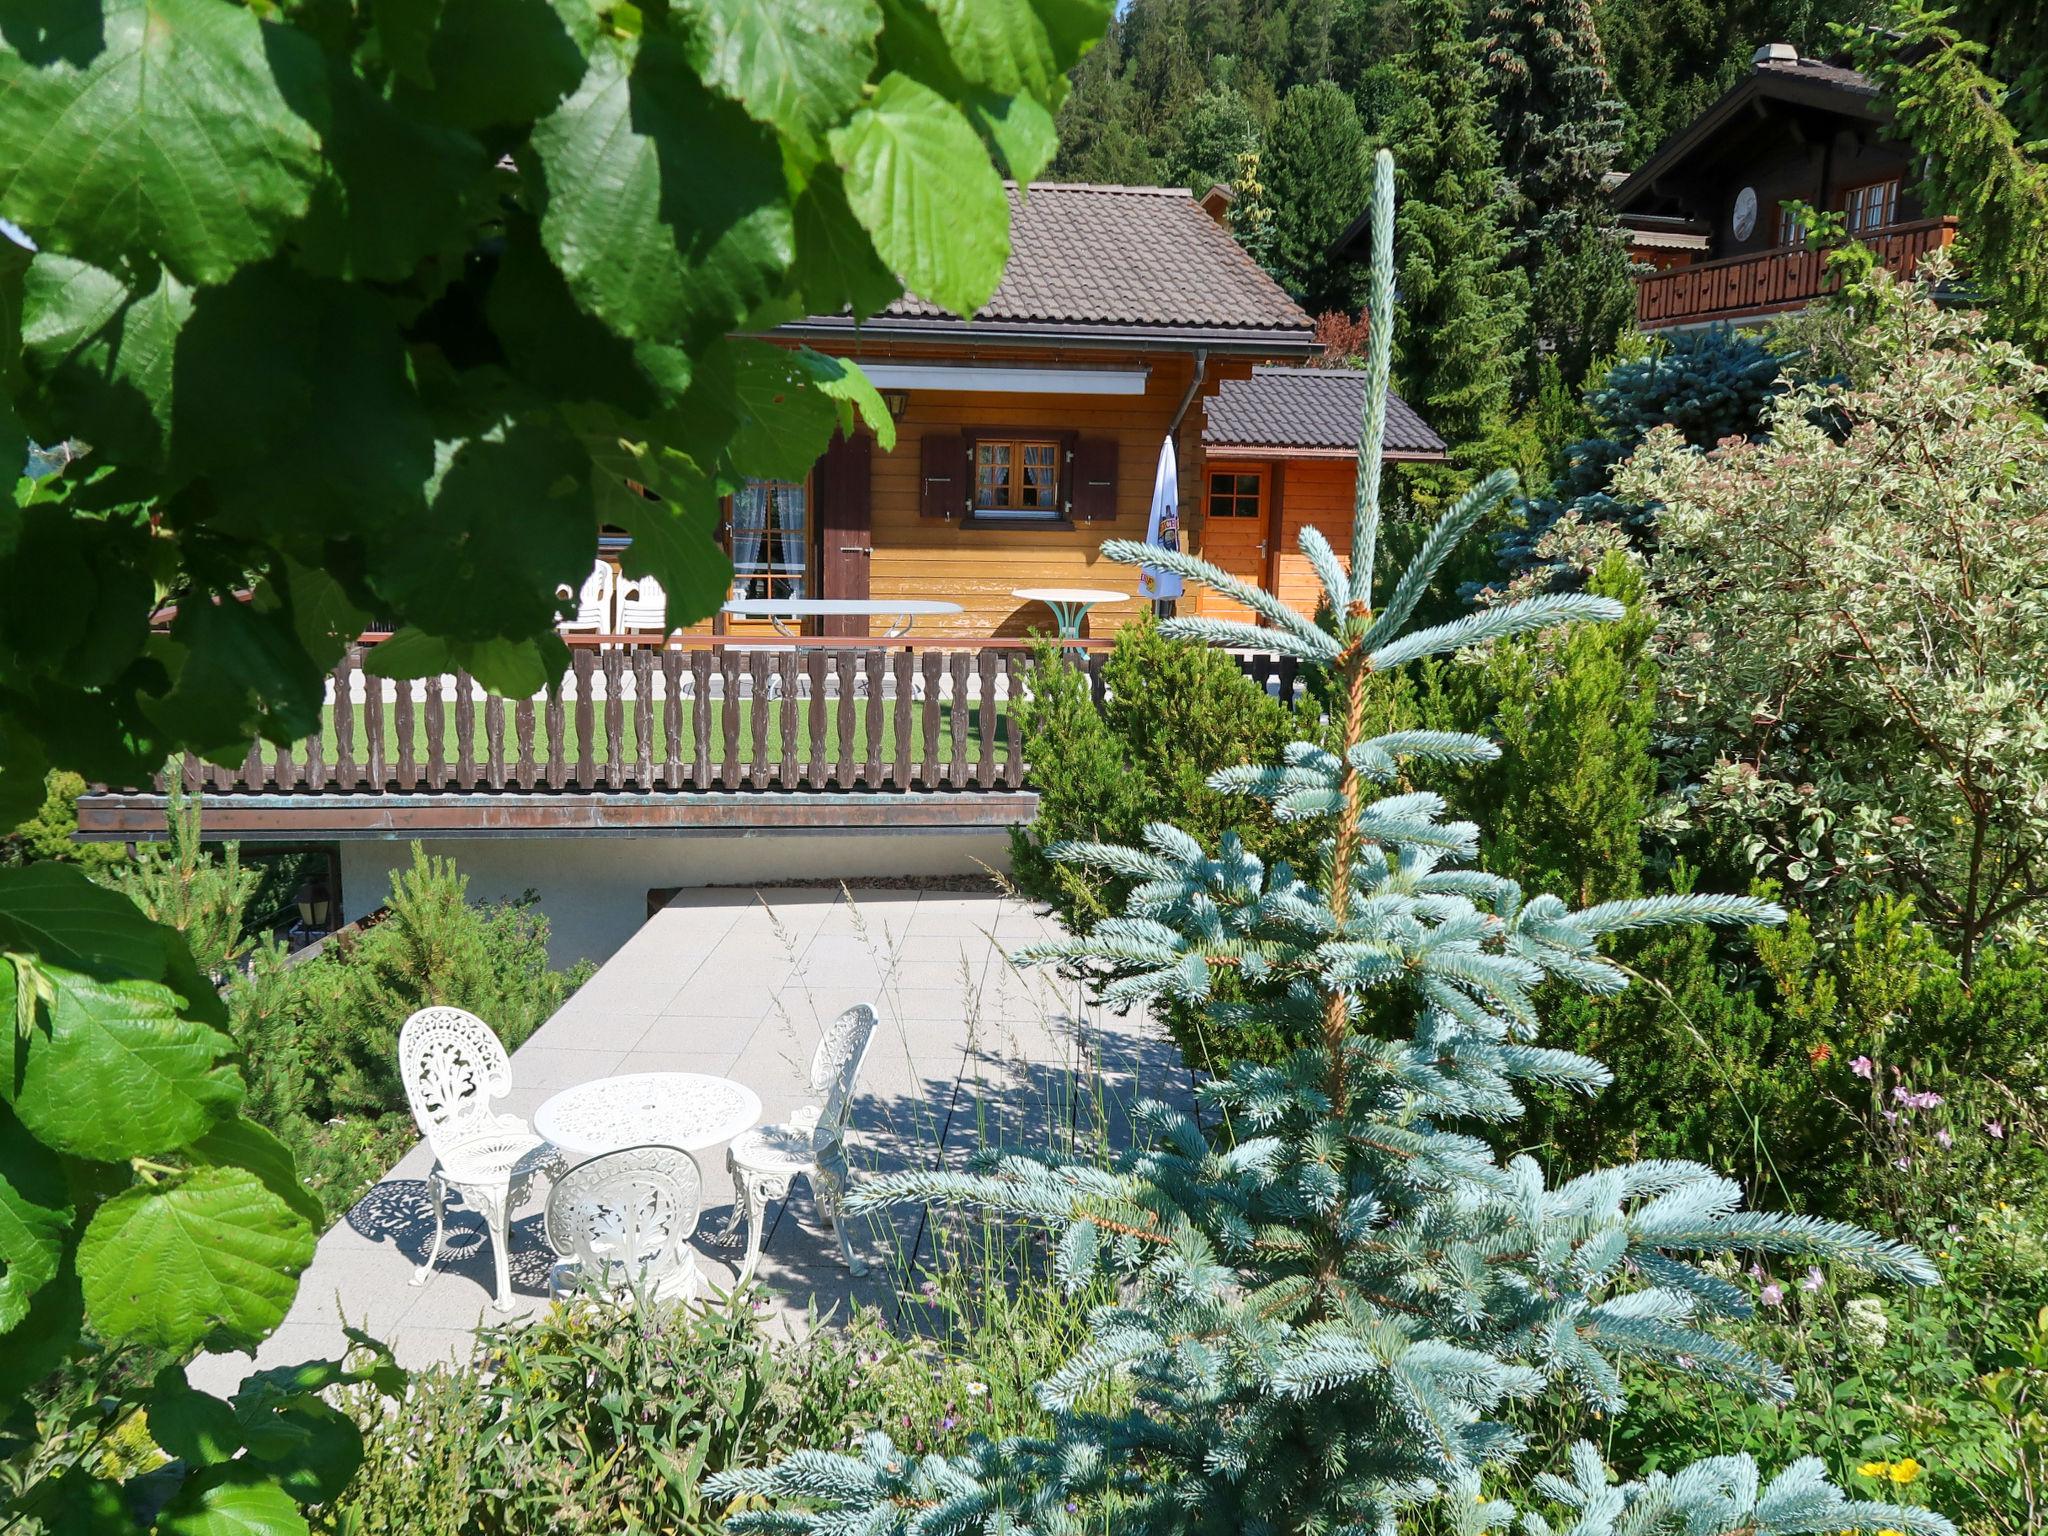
column 591, row 1420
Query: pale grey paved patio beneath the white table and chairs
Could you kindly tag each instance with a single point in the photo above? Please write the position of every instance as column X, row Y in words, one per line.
column 740, row 984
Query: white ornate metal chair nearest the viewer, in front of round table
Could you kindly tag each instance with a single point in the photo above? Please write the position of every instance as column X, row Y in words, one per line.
column 624, row 1224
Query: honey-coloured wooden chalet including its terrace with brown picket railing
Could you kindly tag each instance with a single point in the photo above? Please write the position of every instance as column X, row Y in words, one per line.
column 1027, row 437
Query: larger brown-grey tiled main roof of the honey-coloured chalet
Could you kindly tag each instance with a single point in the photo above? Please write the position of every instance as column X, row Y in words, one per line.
column 1129, row 259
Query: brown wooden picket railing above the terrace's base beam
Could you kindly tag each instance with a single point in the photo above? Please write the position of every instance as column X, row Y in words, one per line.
column 634, row 716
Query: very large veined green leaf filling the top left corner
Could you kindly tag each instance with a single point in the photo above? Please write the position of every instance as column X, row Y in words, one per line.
column 191, row 134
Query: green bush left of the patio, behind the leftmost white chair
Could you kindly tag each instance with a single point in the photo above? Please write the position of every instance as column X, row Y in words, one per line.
column 321, row 1037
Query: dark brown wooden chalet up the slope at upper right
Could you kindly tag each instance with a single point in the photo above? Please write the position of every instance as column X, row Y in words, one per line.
column 1711, row 214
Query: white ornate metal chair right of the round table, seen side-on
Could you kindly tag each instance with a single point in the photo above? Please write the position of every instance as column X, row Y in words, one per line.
column 812, row 1144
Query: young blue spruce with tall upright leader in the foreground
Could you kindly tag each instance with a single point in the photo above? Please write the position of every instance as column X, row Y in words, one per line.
column 1324, row 1310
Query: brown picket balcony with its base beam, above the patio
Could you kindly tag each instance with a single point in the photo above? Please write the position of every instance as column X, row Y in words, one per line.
column 640, row 736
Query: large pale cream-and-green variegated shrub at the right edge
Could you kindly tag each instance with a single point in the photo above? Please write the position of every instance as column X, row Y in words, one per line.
column 1859, row 642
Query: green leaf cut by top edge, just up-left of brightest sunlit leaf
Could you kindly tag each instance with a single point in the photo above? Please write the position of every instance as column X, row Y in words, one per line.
column 798, row 69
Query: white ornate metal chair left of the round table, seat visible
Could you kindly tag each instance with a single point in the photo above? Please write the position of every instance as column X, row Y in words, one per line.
column 454, row 1068
